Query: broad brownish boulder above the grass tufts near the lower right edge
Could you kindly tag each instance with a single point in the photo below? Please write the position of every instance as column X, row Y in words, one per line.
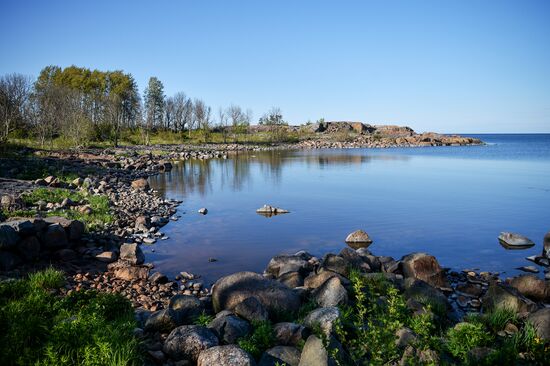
column 506, row 297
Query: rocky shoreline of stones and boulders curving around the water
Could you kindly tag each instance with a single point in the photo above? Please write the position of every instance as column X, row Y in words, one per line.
column 110, row 260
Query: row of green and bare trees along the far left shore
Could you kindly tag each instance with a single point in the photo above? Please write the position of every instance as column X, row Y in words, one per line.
column 83, row 105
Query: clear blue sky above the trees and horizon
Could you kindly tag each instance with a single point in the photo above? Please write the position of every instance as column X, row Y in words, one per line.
column 446, row 66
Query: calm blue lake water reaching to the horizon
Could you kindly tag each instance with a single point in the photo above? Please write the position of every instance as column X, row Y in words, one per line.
column 451, row 202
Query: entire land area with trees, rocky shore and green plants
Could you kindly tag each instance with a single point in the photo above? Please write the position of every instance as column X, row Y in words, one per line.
column 77, row 147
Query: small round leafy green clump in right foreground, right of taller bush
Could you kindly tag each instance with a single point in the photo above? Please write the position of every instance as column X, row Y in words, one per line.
column 464, row 337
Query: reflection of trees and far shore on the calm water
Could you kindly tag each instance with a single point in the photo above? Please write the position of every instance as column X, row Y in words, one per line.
column 197, row 176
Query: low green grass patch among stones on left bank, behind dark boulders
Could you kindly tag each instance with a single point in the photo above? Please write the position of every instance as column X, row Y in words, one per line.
column 101, row 213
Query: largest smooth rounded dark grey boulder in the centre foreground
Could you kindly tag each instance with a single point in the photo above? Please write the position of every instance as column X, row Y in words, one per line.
column 231, row 290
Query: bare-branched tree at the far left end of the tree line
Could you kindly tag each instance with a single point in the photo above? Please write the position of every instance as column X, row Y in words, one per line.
column 15, row 91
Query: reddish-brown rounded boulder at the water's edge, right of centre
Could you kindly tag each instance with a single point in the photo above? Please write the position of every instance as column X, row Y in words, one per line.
column 424, row 267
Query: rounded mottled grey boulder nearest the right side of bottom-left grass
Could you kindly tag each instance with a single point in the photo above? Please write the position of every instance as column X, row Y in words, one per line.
column 188, row 341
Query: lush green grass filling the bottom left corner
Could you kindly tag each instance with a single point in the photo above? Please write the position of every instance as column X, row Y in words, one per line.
column 84, row 328
